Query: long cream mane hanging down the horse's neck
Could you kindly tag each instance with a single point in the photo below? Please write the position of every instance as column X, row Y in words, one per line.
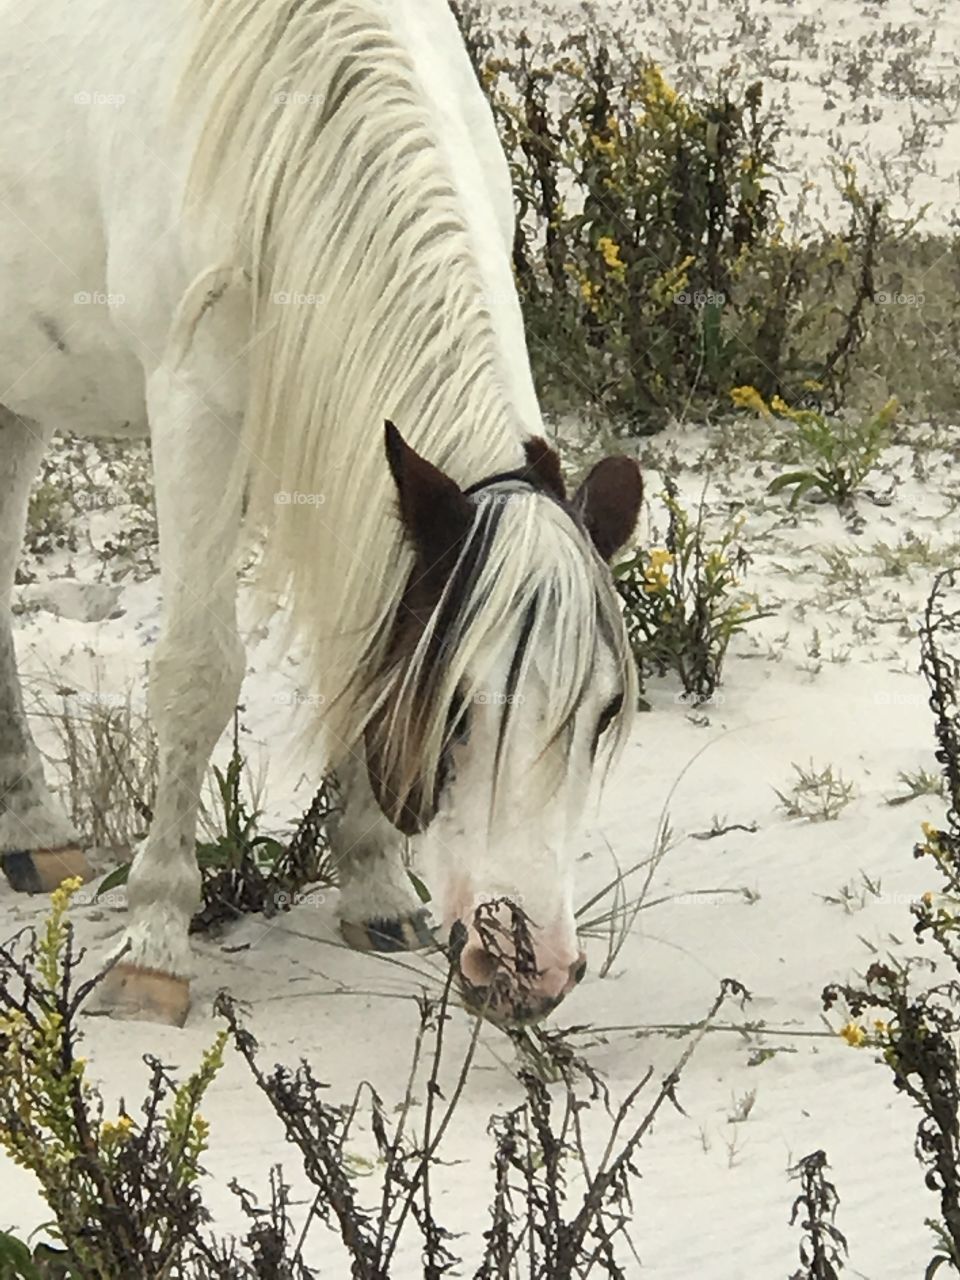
column 345, row 196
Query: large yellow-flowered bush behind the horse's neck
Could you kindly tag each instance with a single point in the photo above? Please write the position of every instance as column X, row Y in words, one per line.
column 653, row 266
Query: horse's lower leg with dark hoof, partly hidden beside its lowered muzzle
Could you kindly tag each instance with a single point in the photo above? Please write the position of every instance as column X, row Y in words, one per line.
column 380, row 911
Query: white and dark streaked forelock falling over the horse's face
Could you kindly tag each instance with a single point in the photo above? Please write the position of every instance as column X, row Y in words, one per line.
column 536, row 565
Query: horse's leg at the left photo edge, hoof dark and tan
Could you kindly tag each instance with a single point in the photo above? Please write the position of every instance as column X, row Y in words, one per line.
column 38, row 842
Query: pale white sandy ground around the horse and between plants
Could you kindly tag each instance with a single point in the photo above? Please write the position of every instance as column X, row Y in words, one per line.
column 831, row 679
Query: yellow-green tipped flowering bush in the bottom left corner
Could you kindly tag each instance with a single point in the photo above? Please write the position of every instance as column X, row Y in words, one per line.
column 121, row 1191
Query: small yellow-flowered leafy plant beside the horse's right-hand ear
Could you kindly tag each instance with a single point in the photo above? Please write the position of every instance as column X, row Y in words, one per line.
column 682, row 602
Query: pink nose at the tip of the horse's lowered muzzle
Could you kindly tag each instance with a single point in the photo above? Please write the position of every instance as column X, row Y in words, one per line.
column 492, row 986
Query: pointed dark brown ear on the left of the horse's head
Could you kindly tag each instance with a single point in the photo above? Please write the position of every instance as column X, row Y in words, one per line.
column 437, row 515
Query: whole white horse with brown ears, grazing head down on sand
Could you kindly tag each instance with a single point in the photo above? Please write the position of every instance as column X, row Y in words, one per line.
column 257, row 230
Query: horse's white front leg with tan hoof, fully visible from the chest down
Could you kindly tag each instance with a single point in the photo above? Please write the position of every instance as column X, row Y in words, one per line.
column 195, row 679
